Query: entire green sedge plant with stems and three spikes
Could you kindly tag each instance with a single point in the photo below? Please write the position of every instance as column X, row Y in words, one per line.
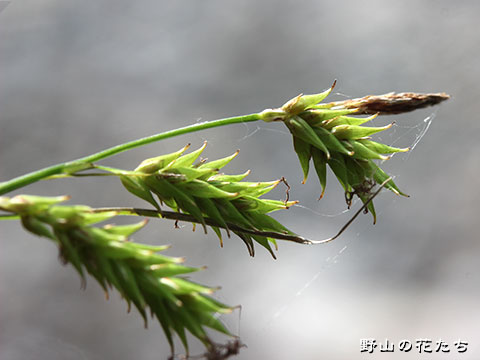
column 181, row 186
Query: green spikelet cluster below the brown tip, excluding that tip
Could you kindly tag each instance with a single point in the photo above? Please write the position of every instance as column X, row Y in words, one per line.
column 328, row 134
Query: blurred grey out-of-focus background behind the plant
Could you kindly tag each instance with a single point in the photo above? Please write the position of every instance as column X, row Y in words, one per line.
column 81, row 76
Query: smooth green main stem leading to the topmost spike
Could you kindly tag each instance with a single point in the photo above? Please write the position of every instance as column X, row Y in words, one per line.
column 86, row 162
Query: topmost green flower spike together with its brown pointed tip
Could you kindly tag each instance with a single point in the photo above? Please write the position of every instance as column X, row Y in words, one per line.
column 327, row 134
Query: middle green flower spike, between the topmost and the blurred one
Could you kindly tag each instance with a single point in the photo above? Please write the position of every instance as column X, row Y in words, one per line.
column 197, row 188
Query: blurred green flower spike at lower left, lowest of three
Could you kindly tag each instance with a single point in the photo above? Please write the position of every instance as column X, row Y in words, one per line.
column 143, row 277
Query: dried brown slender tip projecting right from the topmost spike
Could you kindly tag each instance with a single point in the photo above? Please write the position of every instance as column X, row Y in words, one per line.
column 392, row 103
